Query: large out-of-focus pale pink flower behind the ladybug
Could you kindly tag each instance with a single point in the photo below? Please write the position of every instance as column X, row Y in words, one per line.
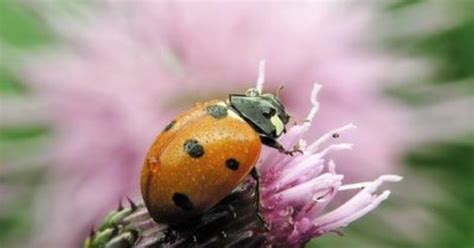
column 124, row 69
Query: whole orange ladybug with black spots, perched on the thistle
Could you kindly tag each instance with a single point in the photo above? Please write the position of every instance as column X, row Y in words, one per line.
column 206, row 152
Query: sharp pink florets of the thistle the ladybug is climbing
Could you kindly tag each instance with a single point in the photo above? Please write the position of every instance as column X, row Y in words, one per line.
column 295, row 191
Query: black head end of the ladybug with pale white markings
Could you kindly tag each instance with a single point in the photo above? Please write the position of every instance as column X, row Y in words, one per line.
column 264, row 112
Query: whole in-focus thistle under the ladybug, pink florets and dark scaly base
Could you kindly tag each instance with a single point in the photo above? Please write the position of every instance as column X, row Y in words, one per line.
column 295, row 191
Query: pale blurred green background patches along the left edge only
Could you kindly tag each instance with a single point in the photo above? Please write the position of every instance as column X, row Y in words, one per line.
column 19, row 30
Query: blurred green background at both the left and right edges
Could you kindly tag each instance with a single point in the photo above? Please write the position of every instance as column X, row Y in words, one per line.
column 447, row 162
